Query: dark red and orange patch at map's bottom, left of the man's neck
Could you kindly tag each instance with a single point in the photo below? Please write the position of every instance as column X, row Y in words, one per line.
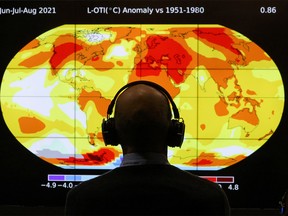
column 100, row 157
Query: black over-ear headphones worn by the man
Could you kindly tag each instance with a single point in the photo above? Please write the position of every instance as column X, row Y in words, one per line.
column 176, row 130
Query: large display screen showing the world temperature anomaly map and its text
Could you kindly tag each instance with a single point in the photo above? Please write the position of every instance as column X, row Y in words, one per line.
column 224, row 64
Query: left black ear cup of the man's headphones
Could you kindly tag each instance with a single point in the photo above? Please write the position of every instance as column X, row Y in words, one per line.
column 109, row 132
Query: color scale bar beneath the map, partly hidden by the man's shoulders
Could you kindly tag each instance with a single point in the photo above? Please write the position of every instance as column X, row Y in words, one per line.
column 80, row 178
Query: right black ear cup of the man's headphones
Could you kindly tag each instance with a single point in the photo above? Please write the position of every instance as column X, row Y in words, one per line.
column 176, row 133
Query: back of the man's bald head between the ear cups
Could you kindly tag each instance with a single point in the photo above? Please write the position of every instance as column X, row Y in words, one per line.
column 142, row 119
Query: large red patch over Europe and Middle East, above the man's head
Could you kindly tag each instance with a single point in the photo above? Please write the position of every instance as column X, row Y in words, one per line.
column 164, row 53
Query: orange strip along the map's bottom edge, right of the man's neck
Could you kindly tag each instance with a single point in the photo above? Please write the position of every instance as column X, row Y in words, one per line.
column 210, row 159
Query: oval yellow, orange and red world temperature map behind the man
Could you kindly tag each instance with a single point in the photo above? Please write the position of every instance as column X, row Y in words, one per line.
column 56, row 90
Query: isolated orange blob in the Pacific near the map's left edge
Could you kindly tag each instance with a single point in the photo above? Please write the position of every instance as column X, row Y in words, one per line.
column 30, row 124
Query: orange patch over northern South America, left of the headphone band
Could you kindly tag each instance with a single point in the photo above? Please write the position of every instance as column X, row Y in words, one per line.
column 94, row 96
